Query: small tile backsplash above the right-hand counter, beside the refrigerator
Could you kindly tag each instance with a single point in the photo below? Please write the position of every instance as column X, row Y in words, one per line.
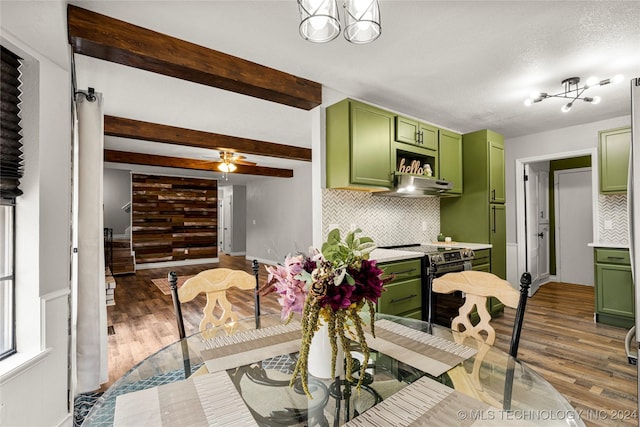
column 613, row 208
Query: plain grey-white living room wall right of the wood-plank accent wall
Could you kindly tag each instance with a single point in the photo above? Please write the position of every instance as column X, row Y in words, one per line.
column 281, row 209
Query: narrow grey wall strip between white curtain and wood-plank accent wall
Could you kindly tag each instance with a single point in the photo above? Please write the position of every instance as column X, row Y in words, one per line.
column 117, row 192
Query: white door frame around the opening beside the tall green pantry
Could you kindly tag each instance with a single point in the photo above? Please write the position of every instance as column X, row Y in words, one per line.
column 521, row 231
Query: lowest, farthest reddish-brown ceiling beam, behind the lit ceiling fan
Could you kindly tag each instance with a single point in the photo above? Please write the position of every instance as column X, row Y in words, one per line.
column 179, row 162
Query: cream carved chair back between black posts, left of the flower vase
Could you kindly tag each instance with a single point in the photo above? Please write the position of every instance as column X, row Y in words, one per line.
column 214, row 283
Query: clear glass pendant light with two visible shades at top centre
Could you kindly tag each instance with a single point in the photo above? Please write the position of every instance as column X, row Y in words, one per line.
column 320, row 20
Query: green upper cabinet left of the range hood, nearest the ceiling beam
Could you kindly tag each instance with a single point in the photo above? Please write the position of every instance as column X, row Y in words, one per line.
column 358, row 143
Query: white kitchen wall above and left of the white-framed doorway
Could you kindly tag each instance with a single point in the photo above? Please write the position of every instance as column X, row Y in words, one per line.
column 553, row 142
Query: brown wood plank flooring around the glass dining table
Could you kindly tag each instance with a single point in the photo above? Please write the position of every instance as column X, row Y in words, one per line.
column 583, row 360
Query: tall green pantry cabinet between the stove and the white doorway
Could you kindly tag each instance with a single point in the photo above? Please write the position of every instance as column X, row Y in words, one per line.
column 478, row 215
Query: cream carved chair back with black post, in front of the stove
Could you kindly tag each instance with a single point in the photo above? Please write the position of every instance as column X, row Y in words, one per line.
column 478, row 286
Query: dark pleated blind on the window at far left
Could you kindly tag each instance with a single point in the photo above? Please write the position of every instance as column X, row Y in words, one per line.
column 11, row 167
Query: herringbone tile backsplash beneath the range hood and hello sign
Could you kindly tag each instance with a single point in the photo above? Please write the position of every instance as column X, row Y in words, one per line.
column 387, row 220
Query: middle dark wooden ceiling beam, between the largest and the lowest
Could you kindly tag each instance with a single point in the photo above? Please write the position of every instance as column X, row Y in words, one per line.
column 135, row 129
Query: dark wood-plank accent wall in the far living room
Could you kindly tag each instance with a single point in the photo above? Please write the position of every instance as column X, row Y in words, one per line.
column 174, row 219
